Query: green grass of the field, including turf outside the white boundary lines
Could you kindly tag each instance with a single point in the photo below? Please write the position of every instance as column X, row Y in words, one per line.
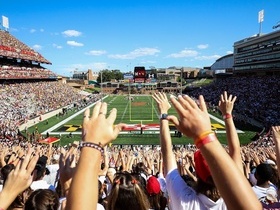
column 141, row 110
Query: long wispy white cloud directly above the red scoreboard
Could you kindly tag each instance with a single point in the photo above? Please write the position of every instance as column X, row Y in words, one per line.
column 140, row 52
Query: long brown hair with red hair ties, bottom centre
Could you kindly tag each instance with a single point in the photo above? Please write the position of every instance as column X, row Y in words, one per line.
column 126, row 193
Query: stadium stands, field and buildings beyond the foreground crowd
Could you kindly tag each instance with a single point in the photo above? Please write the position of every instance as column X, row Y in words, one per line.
column 257, row 92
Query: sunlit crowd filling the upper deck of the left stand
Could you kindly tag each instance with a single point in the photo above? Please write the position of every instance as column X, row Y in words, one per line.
column 13, row 48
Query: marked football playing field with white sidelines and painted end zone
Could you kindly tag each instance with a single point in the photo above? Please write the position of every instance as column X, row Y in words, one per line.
column 139, row 112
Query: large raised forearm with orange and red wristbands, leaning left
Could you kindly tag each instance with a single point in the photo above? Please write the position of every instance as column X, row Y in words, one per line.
column 195, row 123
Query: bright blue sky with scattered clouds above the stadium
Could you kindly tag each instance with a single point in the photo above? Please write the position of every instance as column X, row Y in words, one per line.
column 121, row 34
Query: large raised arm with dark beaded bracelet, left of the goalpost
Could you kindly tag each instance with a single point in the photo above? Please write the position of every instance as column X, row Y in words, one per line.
column 97, row 131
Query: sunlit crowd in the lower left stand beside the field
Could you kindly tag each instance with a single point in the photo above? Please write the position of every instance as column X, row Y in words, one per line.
column 21, row 102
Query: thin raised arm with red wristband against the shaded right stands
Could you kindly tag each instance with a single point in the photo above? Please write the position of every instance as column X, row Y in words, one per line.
column 226, row 104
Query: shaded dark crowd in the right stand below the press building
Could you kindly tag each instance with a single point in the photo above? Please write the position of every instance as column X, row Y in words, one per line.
column 258, row 97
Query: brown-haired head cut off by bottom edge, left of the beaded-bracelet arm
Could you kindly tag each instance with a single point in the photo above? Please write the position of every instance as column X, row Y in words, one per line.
column 42, row 199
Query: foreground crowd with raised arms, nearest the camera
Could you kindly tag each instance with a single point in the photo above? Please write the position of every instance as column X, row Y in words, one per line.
column 142, row 176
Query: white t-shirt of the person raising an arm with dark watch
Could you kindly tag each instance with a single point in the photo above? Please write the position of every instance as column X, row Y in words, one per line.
column 183, row 197
